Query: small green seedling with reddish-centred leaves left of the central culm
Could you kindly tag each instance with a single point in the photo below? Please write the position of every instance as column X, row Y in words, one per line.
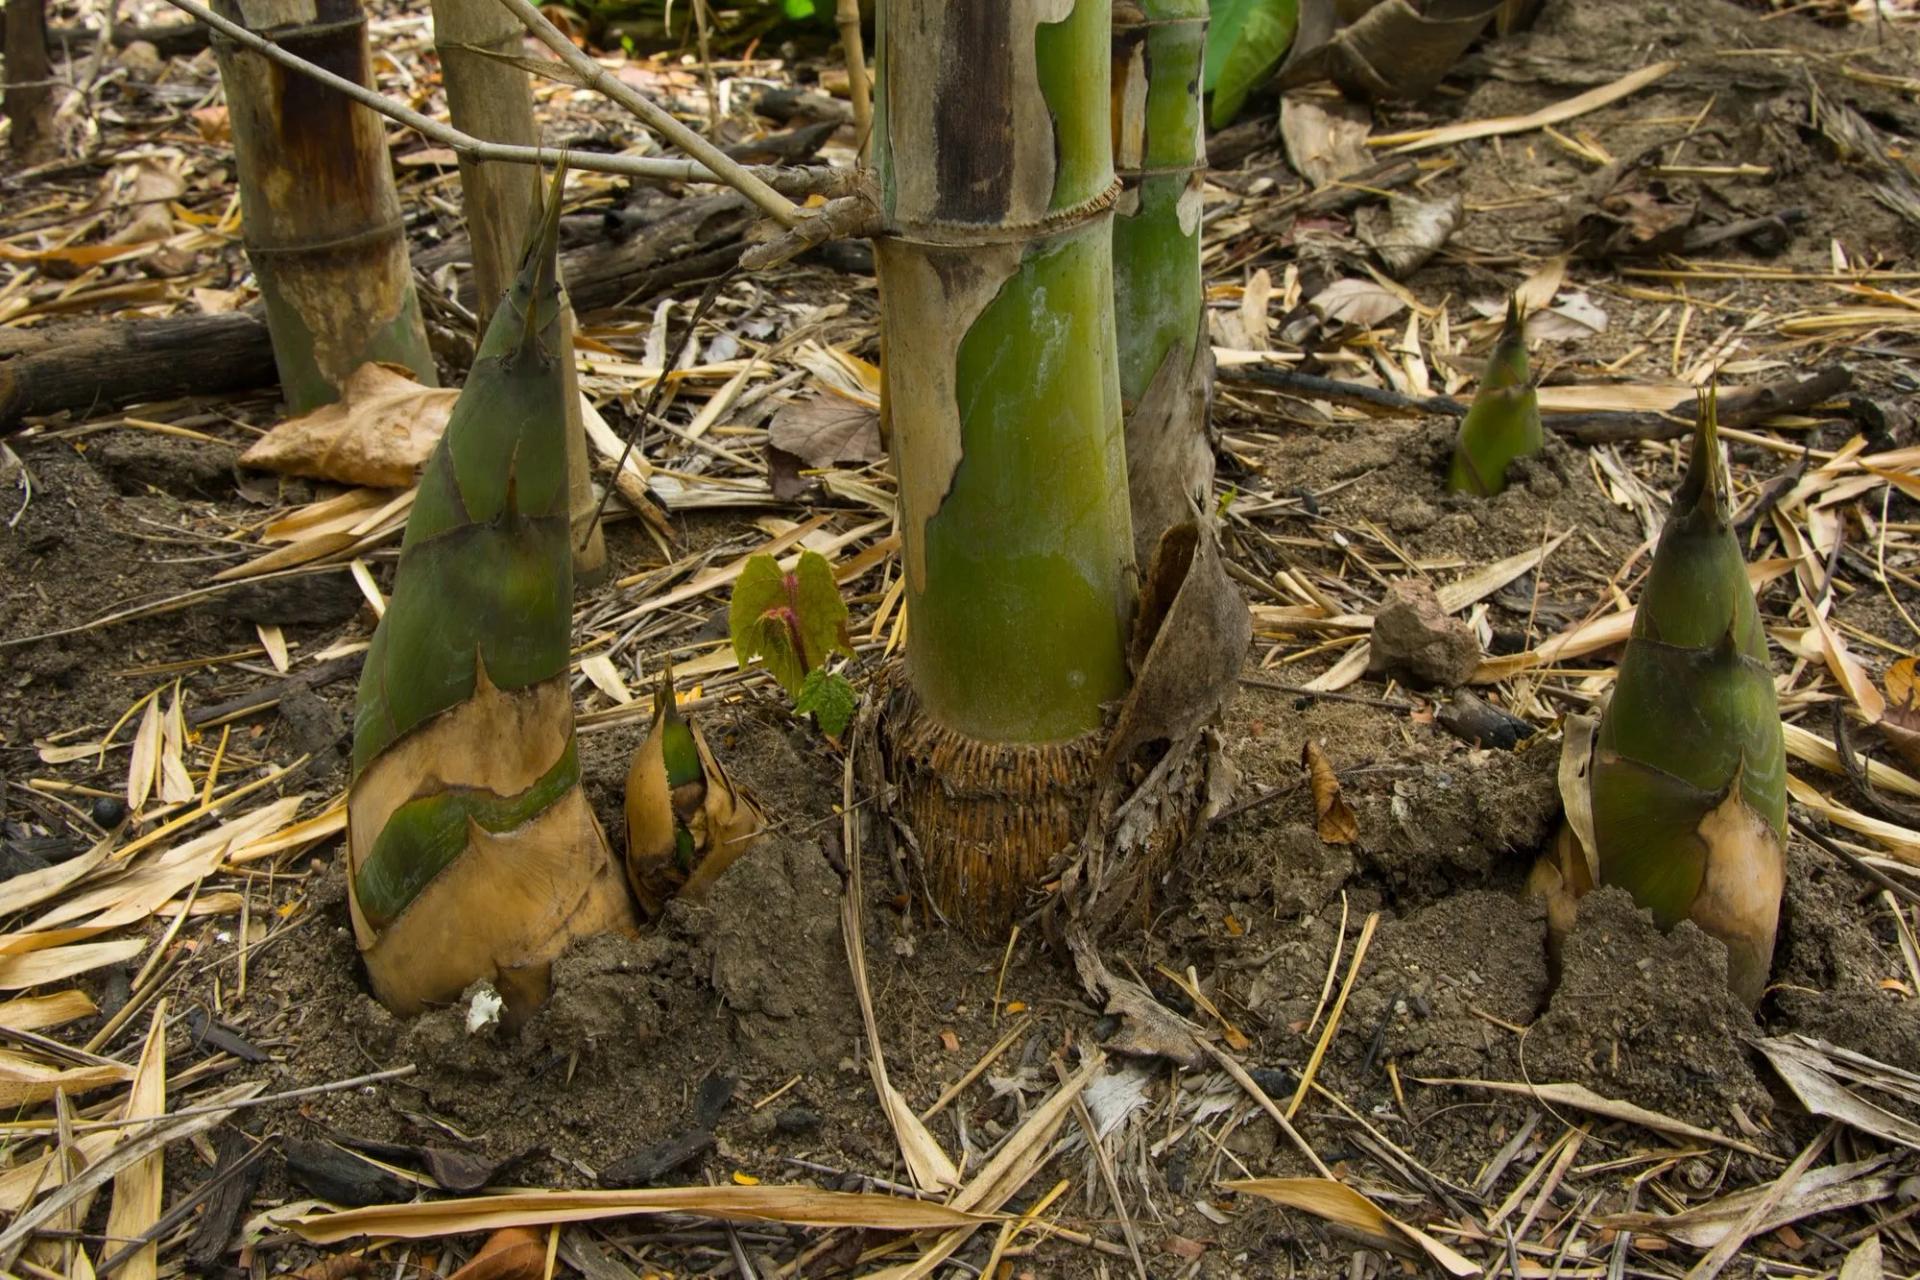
column 792, row 623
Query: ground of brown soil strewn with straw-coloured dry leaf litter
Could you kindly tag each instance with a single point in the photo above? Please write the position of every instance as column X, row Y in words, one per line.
column 220, row 893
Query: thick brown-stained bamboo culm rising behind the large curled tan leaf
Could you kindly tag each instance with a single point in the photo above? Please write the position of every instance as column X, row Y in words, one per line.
column 322, row 214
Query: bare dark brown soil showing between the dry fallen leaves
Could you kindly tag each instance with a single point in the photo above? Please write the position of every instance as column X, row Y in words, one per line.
column 752, row 987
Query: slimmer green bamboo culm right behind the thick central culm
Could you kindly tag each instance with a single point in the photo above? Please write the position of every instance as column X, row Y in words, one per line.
column 1166, row 364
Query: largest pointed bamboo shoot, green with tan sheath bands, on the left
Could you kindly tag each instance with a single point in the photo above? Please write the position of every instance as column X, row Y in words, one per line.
column 471, row 847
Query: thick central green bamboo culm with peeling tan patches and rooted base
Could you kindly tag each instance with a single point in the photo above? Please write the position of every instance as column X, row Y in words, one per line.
column 992, row 145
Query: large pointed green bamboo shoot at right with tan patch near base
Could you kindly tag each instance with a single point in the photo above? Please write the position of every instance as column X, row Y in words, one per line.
column 1689, row 780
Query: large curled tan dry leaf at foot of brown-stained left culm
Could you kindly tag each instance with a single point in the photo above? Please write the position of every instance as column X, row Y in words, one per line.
column 379, row 433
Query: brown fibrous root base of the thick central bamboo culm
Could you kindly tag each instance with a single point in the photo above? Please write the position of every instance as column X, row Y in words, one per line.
column 990, row 818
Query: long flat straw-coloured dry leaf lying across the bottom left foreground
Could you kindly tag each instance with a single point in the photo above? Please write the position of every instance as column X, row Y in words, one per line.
column 800, row 1206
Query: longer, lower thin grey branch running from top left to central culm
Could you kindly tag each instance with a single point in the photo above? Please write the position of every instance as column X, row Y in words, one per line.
column 514, row 154
